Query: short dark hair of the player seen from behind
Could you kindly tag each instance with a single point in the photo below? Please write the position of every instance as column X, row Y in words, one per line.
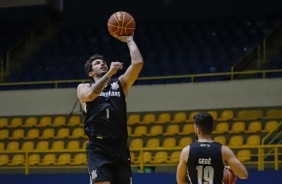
column 204, row 121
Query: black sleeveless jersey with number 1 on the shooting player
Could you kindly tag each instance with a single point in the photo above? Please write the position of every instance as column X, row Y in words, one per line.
column 106, row 121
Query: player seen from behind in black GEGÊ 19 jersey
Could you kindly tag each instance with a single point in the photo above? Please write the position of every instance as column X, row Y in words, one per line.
column 203, row 161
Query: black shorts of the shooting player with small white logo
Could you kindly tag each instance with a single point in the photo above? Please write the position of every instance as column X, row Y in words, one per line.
column 103, row 167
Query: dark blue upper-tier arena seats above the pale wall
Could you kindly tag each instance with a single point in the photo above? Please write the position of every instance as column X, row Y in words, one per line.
column 177, row 49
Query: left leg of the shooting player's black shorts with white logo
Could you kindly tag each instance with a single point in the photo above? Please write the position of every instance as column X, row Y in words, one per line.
column 100, row 168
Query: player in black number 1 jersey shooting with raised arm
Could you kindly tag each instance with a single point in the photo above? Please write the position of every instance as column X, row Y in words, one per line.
column 104, row 104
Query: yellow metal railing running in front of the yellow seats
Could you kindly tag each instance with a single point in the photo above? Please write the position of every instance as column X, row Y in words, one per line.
column 140, row 161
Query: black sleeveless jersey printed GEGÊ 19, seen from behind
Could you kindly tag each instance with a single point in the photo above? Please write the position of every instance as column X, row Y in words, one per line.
column 205, row 165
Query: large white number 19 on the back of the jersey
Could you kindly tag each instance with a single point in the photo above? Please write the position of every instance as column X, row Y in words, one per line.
column 205, row 174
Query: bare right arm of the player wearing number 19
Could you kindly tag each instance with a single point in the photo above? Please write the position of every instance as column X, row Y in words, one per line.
column 236, row 166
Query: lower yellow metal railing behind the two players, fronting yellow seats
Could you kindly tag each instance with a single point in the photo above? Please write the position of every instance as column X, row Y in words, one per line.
column 256, row 159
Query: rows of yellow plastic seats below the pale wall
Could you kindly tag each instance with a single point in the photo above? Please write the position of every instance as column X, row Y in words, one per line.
column 60, row 140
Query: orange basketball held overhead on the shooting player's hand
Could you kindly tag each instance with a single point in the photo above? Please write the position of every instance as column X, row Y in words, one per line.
column 121, row 23
